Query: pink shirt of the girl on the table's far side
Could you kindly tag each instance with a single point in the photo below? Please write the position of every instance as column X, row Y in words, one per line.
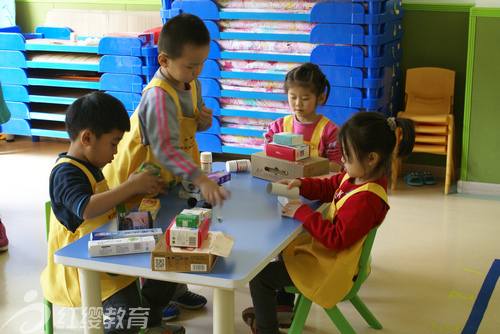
column 328, row 145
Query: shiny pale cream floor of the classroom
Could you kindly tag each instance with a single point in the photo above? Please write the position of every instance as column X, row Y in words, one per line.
column 430, row 257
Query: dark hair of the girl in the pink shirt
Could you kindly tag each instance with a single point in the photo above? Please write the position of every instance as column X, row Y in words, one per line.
column 308, row 75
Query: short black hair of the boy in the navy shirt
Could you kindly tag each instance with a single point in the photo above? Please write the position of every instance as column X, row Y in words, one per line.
column 99, row 112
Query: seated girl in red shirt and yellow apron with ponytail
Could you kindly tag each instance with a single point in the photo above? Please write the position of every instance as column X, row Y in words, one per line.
column 359, row 203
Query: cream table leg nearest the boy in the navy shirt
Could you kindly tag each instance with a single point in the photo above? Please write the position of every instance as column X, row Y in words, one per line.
column 90, row 284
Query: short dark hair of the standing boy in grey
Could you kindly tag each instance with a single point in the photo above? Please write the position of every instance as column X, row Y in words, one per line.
column 181, row 30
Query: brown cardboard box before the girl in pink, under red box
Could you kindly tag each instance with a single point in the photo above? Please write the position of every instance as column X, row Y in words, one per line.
column 274, row 169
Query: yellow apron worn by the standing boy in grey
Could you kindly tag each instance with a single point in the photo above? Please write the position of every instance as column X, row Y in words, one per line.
column 132, row 153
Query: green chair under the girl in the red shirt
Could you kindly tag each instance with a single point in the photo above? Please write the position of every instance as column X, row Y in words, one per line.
column 303, row 305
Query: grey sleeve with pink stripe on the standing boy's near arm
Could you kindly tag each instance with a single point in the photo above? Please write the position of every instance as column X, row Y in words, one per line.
column 160, row 129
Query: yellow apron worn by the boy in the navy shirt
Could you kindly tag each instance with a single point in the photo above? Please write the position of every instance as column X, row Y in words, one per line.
column 60, row 284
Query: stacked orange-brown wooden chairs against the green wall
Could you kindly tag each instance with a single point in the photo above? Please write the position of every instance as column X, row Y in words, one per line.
column 429, row 96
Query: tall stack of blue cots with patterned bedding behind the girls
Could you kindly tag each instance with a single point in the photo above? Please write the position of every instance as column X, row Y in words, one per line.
column 255, row 43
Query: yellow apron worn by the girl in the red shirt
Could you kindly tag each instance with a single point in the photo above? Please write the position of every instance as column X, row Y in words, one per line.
column 333, row 271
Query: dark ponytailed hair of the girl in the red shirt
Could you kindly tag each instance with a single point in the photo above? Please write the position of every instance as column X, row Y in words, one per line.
column 372, row 132
